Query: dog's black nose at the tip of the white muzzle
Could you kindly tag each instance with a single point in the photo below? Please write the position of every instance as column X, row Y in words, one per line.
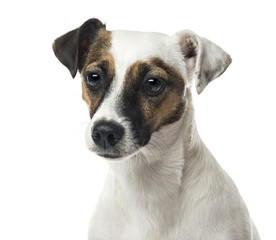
column 107, row 134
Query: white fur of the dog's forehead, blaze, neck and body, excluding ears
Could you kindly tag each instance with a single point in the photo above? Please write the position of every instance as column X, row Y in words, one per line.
column 173, row 188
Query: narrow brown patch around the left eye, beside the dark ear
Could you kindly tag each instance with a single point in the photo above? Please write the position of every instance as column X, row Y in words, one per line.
column 100, row 61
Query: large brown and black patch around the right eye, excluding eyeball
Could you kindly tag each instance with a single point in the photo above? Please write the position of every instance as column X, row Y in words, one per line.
column 148, row 112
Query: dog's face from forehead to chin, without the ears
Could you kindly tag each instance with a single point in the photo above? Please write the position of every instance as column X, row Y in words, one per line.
column 132, row 89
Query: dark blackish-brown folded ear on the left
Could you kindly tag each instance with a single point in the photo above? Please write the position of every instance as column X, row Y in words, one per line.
column 72, row 47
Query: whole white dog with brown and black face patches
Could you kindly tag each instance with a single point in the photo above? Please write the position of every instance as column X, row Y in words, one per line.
column 163, row 182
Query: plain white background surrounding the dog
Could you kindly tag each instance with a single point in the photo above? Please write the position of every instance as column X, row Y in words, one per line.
column 50, row 182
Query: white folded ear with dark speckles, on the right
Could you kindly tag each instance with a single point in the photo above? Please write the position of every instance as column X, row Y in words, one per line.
column 204, row 60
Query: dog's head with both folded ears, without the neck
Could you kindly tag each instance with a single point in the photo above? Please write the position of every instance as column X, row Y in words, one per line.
column 134, row 83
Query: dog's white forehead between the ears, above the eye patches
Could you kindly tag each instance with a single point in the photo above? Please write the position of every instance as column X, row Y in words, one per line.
column 128, row 47
